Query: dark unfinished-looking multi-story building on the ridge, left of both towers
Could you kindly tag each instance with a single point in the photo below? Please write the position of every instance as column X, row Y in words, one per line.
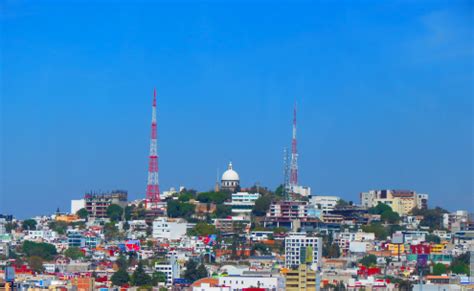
column 97, row 204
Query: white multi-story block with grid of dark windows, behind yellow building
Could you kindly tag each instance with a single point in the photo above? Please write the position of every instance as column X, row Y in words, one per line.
column 297, row 243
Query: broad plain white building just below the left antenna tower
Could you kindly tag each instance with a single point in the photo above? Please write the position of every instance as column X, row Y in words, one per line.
column 167, row 228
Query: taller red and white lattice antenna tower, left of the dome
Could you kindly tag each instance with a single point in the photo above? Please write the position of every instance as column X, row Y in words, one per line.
column 153, row 186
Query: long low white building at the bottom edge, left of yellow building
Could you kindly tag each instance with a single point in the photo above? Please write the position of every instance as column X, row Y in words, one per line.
column 240, row 282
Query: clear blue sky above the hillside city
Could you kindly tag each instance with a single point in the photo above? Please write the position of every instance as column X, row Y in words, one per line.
column 384, row 92
